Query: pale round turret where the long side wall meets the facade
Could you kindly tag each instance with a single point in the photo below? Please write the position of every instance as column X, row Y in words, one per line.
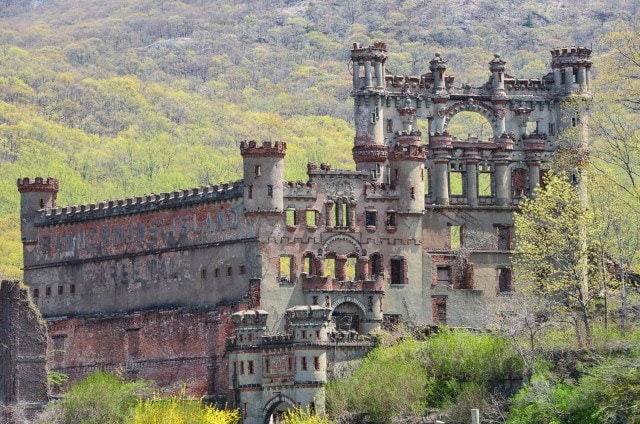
column 263, row 173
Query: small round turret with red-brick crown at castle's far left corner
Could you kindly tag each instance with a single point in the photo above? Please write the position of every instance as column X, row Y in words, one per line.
column 34, row 196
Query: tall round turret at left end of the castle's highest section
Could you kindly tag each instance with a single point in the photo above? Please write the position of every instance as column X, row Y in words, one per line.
column 369, row 151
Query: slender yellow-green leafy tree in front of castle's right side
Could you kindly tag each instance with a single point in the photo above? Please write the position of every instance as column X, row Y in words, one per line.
column 550, row 255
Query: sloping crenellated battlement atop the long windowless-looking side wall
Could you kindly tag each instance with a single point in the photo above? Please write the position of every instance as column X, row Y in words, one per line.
column 139, row 204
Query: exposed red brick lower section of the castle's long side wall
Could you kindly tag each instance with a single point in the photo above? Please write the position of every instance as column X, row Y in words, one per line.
column 171, row 347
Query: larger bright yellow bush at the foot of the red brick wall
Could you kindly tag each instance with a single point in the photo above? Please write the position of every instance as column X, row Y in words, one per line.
column 180, row 410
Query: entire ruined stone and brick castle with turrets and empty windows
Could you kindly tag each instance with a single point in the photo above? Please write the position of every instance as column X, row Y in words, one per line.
column 254, row 291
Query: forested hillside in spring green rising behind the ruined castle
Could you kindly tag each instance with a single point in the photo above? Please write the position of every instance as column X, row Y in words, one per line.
column 119, row 98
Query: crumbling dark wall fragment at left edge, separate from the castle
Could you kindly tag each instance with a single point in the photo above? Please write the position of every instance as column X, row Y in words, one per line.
column 23, row 349
